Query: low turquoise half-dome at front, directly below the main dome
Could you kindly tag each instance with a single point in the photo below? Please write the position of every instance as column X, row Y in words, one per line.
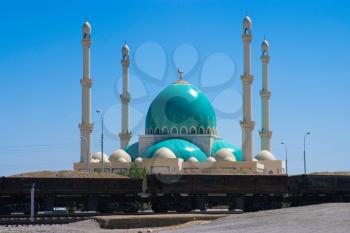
column 181, row 148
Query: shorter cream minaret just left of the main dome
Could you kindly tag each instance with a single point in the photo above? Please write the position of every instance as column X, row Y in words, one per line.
column 125, row 97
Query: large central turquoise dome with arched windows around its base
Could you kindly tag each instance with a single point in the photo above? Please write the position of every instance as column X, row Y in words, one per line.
column 180, row 108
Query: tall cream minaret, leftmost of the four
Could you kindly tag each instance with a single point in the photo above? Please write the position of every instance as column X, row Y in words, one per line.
column 86, row 126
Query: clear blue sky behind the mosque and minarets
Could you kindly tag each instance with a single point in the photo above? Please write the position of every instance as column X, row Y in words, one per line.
column 41, row 64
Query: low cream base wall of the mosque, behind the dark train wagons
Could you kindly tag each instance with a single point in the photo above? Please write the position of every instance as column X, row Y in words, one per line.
column 178, row 166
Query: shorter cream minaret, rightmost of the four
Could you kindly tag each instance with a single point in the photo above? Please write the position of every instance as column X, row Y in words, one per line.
column 265, row 133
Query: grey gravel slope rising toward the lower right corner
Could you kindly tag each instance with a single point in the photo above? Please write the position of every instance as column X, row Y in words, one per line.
column 325, row 218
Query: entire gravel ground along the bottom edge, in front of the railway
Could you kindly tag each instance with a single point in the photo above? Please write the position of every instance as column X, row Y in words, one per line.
column 323, row 218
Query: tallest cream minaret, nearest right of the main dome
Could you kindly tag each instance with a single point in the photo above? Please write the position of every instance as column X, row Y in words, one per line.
column 247, row 124
